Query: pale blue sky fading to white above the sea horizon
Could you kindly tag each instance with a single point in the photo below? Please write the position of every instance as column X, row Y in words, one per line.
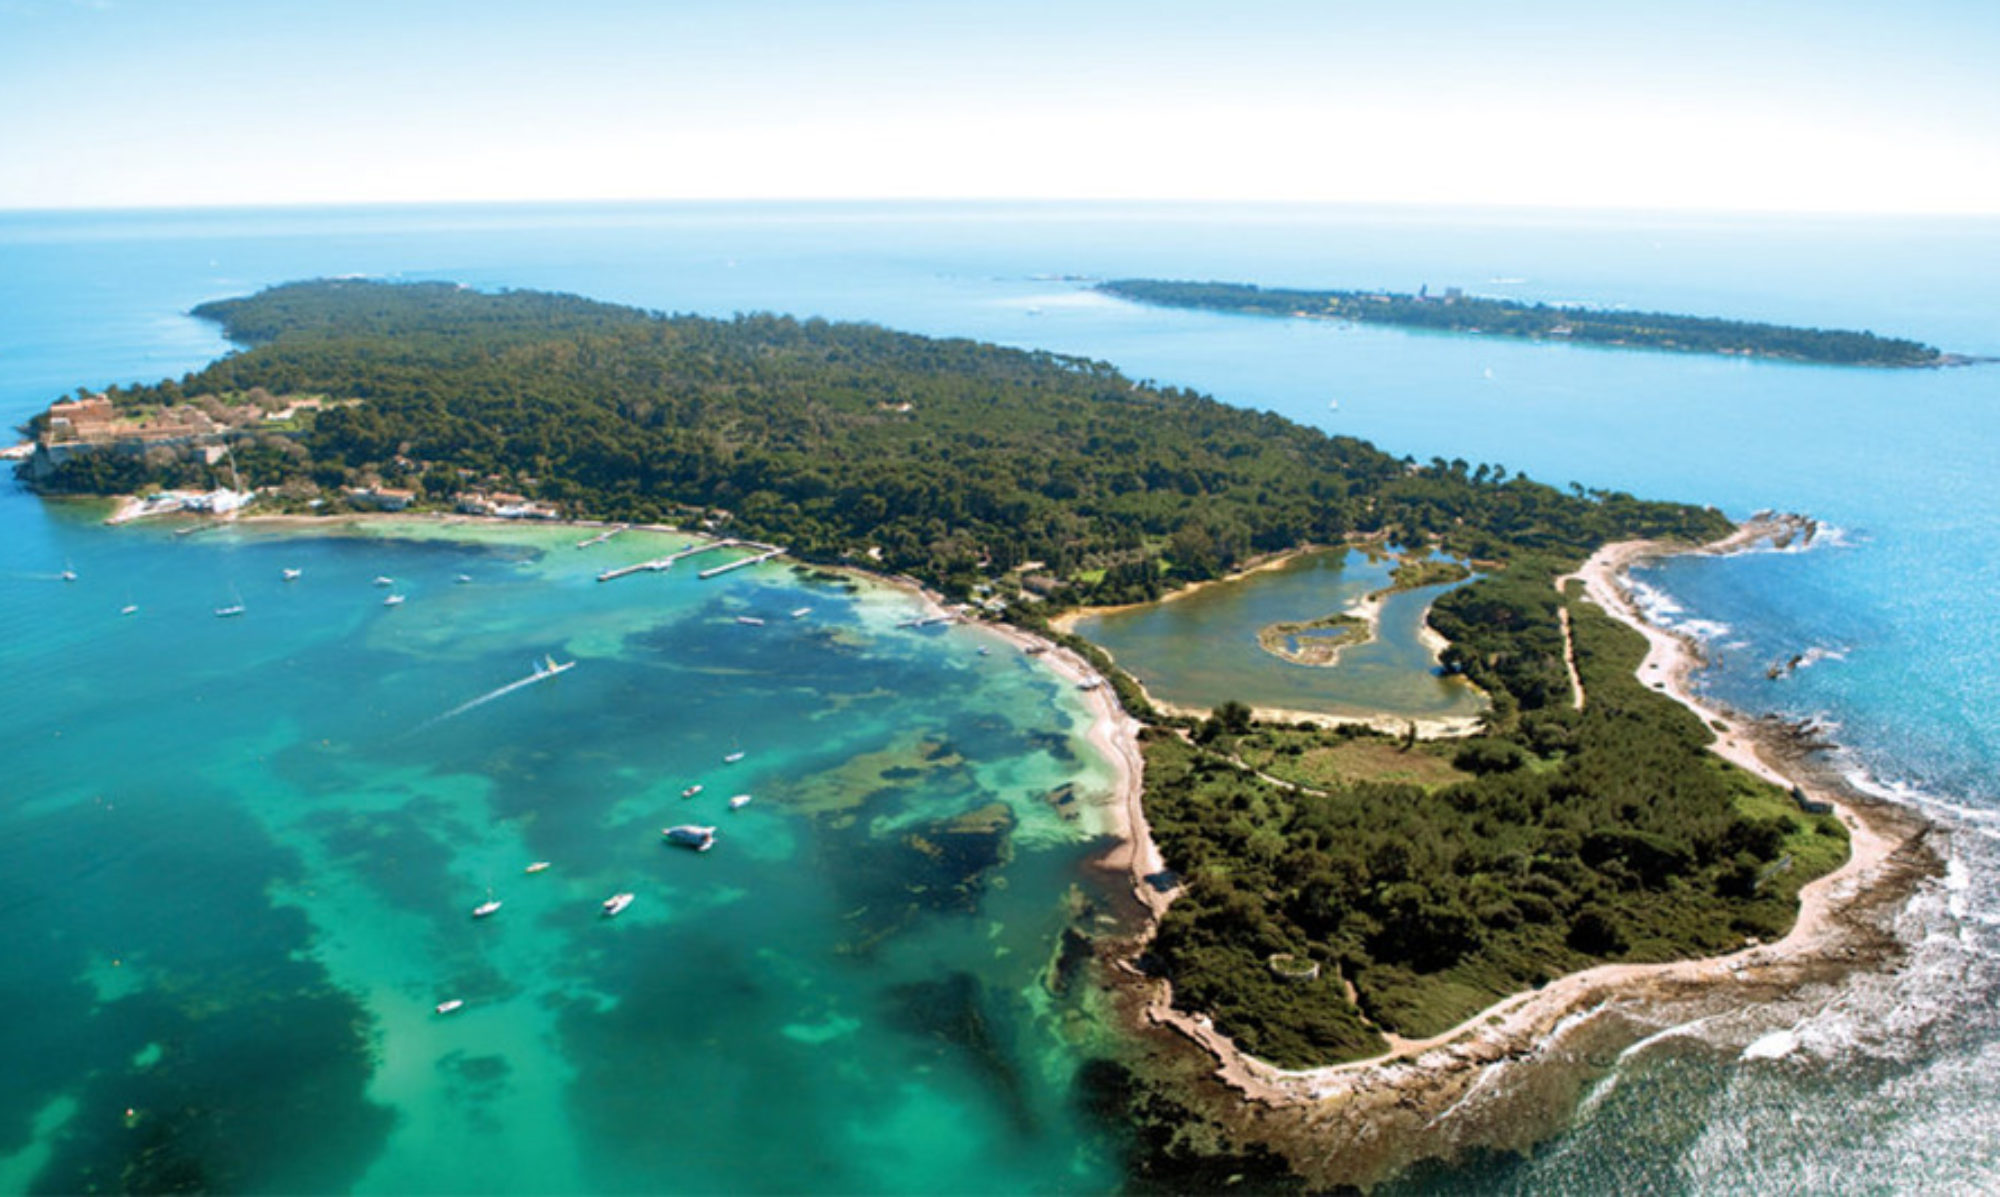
column 1673, row 105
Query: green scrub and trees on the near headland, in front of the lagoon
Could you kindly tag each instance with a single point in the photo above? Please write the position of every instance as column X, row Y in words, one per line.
column 1441, row 878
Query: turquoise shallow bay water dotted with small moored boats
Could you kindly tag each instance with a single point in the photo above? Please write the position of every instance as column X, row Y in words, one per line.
column 243, row 856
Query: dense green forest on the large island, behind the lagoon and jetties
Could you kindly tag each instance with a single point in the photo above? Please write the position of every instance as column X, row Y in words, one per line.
column 953, row 461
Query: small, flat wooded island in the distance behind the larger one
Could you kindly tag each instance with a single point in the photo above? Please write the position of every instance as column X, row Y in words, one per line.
column 1455, row 311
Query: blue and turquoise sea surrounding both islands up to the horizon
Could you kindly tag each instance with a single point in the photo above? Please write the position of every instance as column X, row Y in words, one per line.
column 239, row 856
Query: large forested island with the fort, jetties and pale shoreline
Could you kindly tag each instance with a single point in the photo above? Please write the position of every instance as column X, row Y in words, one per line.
column 1303, row 896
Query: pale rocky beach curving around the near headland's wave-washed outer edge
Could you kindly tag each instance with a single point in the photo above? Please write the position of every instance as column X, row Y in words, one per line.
column 1435, row 1098
